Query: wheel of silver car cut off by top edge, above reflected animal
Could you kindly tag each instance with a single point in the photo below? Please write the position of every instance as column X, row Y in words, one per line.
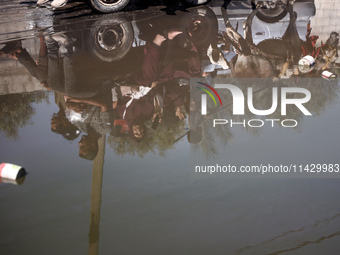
column 273, row 11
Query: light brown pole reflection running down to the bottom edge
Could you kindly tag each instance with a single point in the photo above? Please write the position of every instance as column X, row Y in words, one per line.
column 96, row 190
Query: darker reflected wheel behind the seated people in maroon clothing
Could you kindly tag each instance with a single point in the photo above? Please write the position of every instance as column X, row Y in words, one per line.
column 201, row 24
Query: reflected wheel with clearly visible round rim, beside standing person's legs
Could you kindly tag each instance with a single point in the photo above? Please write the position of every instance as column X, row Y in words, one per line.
column 111, row 38
